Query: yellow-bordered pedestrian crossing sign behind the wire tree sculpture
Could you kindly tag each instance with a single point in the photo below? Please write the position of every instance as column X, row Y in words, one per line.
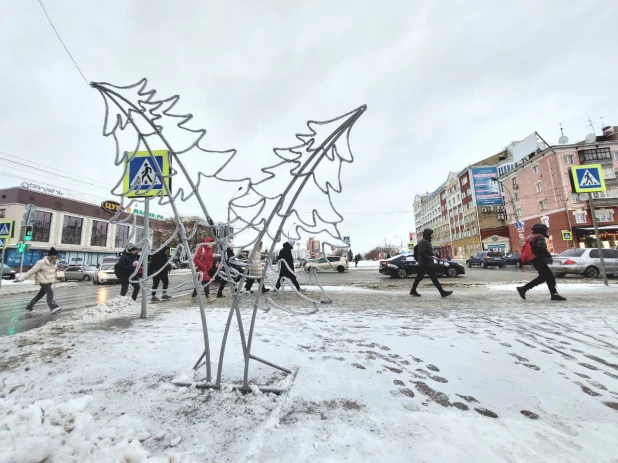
column 141, row 177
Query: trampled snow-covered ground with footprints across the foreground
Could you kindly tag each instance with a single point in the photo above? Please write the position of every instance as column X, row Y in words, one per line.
column 482, row 377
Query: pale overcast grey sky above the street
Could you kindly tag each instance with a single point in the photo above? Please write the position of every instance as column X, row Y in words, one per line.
column 446, row 83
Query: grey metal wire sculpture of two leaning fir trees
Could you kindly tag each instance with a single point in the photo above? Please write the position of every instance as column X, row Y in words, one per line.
column 135, row 119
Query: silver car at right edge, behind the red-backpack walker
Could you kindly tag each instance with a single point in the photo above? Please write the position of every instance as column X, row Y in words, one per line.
column 585, row 262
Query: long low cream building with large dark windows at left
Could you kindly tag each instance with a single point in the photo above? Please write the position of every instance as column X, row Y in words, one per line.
column 81, row 232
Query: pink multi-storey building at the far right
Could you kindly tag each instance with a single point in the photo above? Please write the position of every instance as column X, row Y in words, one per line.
column 538, row 189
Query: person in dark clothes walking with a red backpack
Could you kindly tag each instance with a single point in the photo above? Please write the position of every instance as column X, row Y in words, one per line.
column 535, row 252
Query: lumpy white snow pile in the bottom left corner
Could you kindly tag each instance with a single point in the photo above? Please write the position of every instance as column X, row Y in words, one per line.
column 65, row 432
